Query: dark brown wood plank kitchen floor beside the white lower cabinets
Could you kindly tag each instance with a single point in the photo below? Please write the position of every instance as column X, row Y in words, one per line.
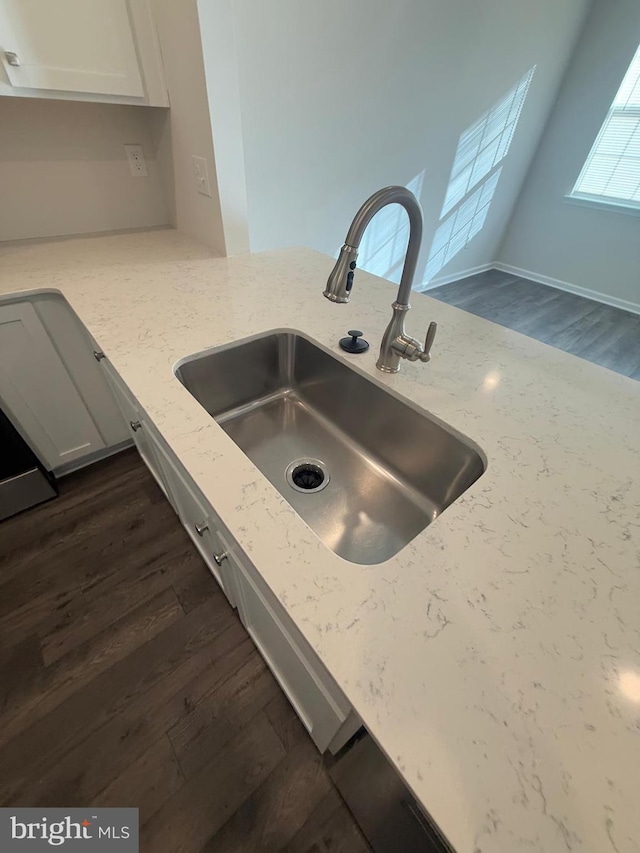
column 127, row 679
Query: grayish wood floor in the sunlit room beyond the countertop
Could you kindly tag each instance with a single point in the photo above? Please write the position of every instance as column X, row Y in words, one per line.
column 591, row 330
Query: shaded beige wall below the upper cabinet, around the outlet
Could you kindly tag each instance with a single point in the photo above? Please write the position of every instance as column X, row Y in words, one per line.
column 63, row 169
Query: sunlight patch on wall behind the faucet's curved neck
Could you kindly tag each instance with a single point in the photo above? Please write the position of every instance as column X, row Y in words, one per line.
column 384, row 243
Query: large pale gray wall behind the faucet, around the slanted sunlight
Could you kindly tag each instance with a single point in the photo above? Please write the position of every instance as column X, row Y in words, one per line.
column 339, row 99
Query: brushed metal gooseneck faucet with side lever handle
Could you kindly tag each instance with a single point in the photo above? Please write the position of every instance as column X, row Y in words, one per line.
column 396, row 344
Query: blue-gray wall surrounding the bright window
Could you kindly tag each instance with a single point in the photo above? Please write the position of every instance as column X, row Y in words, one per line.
column 586, row 247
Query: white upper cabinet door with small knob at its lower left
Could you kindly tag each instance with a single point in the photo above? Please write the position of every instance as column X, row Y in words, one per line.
column 70, row 46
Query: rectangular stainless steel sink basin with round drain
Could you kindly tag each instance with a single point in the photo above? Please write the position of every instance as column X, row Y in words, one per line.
column 365, row 469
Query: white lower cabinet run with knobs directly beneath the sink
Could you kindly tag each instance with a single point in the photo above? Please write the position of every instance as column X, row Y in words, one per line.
column 316, row 698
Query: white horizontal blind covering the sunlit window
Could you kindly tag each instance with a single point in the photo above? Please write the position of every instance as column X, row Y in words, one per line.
column 612, row 169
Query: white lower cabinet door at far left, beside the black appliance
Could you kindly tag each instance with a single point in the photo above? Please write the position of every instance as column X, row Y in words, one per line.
column 38, row 392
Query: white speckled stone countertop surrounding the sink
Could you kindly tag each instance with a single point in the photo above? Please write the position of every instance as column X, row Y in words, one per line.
column 496, row 658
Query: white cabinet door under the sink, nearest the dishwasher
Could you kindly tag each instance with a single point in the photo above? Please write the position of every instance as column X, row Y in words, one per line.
column 309, row 687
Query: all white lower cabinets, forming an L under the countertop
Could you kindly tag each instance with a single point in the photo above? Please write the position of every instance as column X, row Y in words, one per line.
column 49, row 384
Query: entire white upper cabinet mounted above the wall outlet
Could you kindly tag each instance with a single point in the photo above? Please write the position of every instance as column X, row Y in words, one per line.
column 103, row 50
